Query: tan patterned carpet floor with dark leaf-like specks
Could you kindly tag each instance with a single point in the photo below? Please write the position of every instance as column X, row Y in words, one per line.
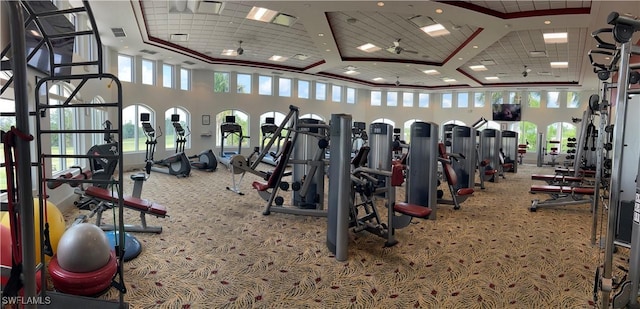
column 217, row 250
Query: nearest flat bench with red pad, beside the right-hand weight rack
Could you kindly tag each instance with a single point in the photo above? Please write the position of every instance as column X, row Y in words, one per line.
column 561, row 196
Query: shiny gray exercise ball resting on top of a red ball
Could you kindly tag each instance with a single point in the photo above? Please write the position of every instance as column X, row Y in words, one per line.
column 83, row 248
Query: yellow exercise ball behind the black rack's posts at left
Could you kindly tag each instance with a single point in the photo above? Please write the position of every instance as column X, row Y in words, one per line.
column 57, row 226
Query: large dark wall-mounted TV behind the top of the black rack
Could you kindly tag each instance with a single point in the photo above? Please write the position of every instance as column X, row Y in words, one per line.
column 62, row 48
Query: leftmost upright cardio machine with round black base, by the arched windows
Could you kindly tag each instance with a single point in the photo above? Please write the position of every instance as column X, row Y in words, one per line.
column 177, row 164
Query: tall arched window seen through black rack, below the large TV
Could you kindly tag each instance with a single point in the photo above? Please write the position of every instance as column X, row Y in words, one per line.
column 63, row 119
